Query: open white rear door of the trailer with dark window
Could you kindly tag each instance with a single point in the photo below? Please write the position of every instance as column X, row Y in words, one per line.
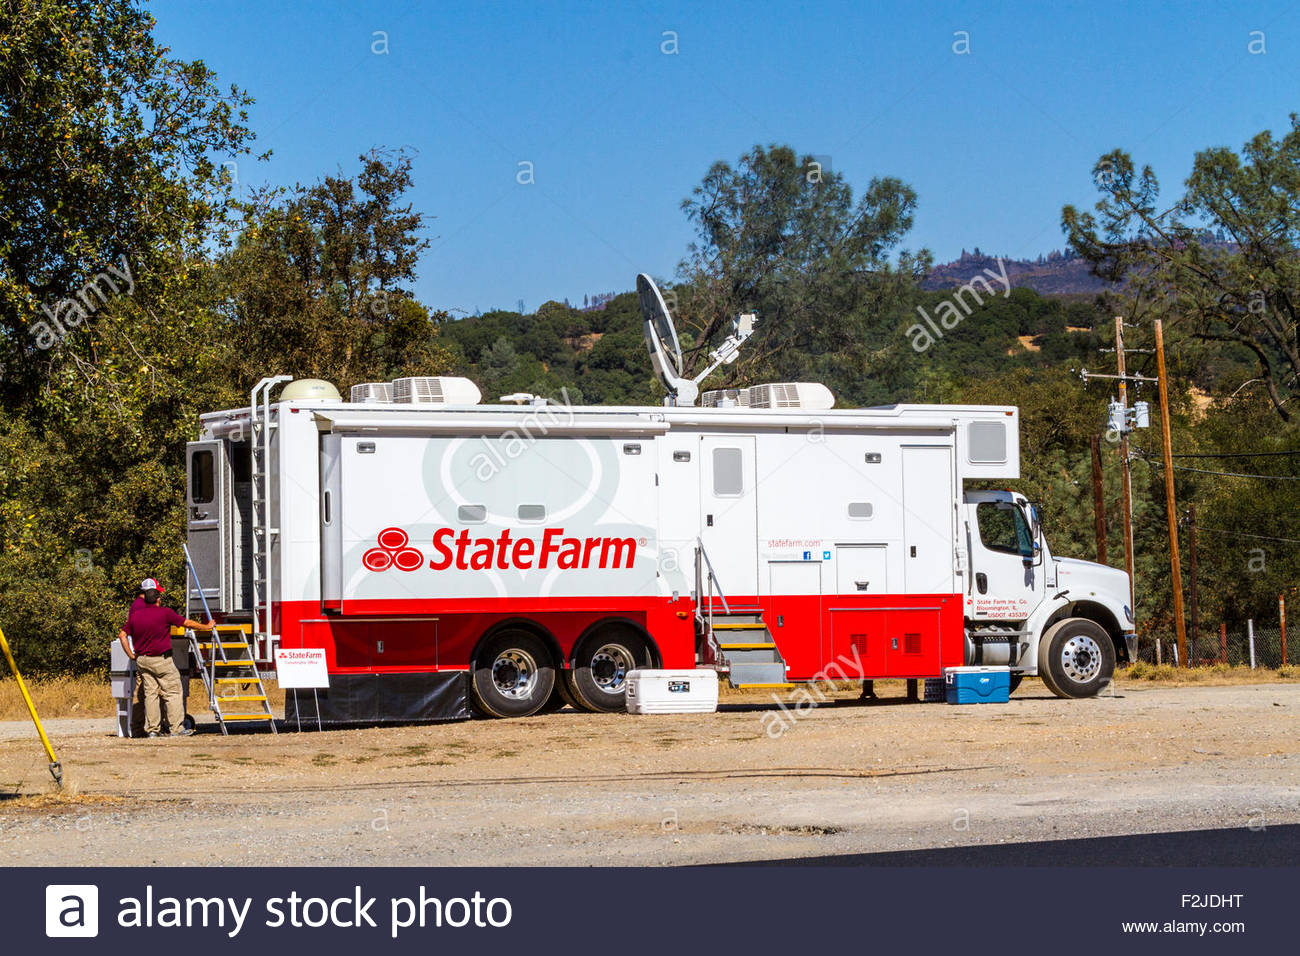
column 207, row 526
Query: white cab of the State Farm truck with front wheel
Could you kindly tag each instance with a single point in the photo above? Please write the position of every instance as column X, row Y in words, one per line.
column 1063, row 620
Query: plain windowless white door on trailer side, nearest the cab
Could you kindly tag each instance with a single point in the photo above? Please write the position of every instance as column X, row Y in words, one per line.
column 928, row 525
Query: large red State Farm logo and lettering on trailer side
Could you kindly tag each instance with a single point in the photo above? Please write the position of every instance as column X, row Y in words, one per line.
column 504, row 552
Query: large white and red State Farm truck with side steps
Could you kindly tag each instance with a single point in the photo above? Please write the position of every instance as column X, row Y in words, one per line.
column 445, row 553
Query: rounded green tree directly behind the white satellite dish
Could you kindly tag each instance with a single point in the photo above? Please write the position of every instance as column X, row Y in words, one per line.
column 782, row 236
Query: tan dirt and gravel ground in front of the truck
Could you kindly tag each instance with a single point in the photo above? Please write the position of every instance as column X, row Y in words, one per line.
column 748, row 784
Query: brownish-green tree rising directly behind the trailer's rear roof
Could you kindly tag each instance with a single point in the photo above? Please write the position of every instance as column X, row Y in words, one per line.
column 318, row 282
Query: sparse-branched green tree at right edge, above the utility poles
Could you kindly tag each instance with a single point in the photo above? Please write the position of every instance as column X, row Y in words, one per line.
column 1245, row 293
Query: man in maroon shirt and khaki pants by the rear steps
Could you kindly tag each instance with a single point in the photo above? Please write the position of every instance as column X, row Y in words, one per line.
column 149, row 626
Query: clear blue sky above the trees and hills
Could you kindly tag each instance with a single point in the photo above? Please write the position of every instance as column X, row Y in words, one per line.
column 618, row 132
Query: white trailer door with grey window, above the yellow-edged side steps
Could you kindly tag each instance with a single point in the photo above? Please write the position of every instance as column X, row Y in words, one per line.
column 729, row 512
